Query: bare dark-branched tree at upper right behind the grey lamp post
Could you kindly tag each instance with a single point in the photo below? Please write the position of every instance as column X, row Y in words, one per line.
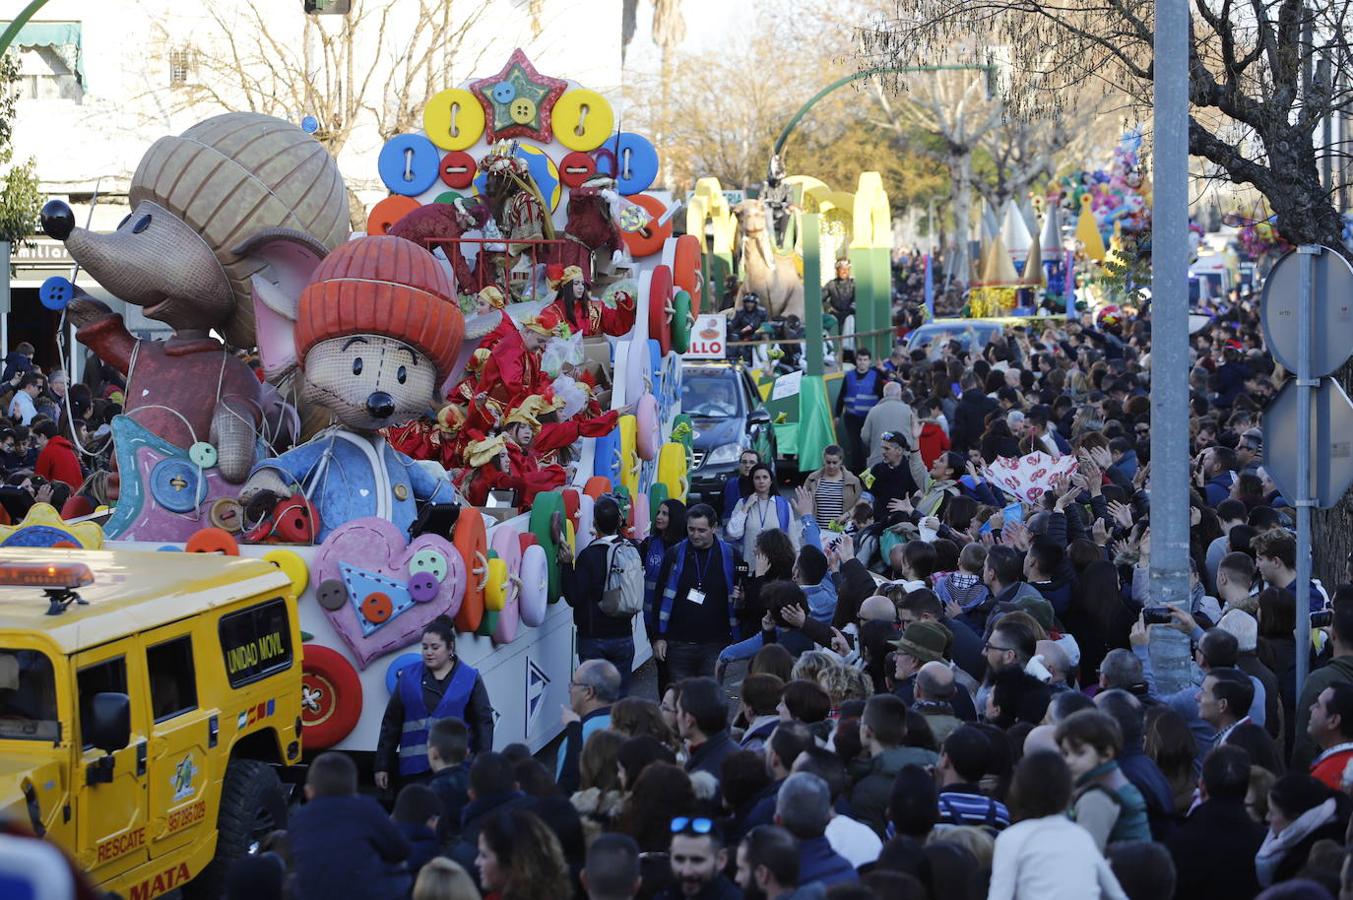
column 1264, row 75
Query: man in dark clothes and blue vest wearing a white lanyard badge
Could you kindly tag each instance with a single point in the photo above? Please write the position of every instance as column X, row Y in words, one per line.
column 696, row 616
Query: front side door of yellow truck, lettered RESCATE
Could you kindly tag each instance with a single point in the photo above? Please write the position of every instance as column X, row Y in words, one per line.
column 112, row 802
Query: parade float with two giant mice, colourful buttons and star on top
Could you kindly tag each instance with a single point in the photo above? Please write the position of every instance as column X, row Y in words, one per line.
column 508, row 330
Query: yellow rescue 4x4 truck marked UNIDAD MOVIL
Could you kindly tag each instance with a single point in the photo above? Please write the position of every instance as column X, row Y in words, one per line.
column 147, row 702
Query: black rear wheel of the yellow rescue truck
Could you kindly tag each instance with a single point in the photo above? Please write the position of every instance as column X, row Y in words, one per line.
column 252, row 805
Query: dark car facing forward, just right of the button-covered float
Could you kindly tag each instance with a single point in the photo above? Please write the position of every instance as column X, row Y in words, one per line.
column 729, row 418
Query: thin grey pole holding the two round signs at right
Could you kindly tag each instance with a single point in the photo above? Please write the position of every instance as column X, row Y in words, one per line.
column 1306, row 255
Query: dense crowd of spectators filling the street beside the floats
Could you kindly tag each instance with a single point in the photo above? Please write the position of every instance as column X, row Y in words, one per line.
column 896, row 681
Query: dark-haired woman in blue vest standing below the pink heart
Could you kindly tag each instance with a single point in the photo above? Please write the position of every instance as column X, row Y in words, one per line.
column 438, row 687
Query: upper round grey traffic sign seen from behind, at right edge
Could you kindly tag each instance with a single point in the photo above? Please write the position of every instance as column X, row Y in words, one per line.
column 1332, row 311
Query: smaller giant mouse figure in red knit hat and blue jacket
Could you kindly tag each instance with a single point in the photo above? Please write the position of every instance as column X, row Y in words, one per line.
column 375, row 330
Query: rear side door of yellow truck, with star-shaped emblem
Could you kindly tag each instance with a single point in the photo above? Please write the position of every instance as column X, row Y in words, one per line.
column 182, row 741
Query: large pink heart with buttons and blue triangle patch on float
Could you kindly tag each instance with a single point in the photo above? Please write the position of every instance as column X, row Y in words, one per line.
column 373, row 554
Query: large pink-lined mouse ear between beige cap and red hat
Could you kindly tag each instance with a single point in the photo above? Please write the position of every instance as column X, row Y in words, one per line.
column 288, row 261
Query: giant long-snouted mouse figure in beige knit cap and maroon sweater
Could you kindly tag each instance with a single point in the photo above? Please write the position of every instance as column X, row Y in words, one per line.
column 196, row 200
